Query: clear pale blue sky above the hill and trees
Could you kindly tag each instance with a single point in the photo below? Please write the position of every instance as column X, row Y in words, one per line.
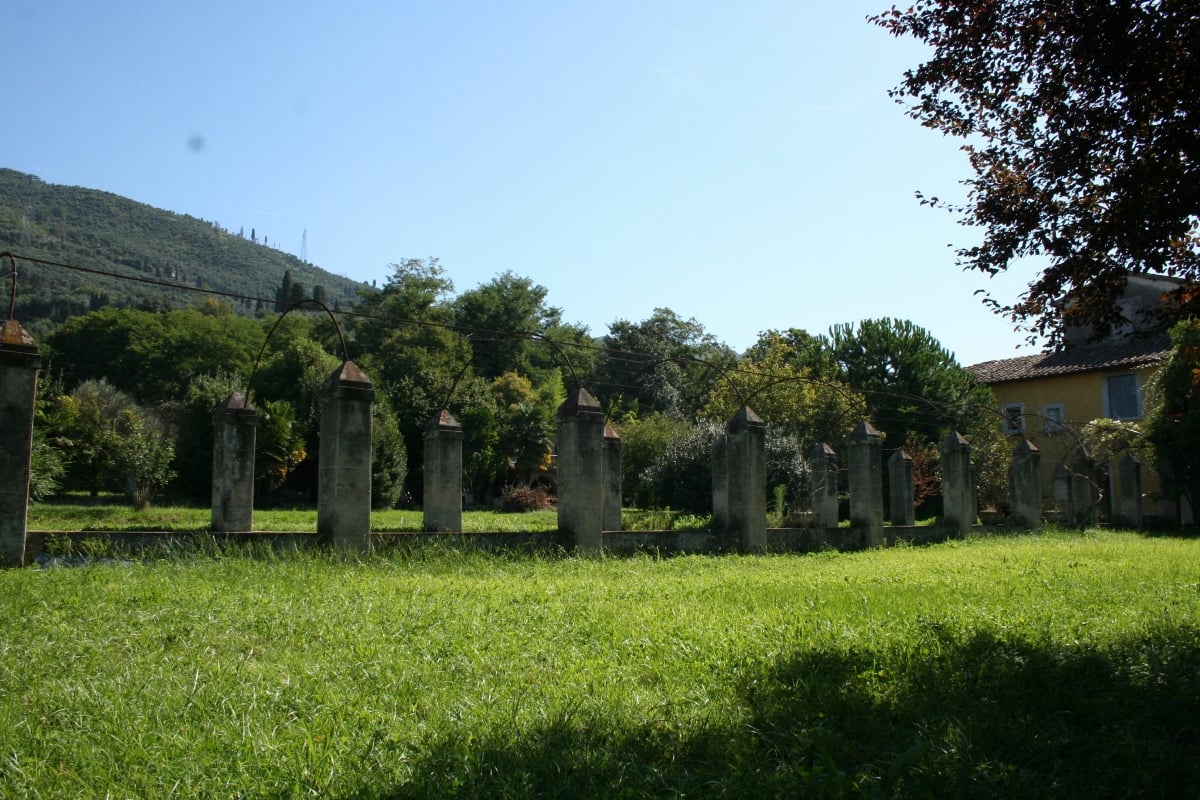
column 740, row 164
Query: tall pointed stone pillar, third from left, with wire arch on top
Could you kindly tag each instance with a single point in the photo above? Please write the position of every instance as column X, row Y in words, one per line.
column 344, row 491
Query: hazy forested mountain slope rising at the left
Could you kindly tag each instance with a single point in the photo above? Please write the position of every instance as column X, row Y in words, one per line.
column 100, row 231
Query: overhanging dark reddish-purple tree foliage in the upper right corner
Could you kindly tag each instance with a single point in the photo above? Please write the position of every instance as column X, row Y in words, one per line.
column 1079, row 122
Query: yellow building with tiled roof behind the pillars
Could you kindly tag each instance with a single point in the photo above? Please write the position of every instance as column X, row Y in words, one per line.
column 1049, row 396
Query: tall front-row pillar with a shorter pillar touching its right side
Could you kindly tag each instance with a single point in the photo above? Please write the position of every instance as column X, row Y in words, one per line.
column 581, row 473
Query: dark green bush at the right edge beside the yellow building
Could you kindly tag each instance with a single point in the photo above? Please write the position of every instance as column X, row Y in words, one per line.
column 1173, row 424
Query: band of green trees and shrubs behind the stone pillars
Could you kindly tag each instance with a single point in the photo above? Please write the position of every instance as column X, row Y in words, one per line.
column 129, row 395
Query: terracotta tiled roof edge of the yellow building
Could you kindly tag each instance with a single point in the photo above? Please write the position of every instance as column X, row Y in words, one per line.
column 1093, row 358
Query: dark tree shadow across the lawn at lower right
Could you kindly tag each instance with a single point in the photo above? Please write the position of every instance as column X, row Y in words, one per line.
column 961, row 715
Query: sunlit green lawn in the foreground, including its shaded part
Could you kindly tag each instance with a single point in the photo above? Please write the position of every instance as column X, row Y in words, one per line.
column 1059, row 665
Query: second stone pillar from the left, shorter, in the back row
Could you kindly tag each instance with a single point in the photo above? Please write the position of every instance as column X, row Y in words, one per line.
column 235, row 425
